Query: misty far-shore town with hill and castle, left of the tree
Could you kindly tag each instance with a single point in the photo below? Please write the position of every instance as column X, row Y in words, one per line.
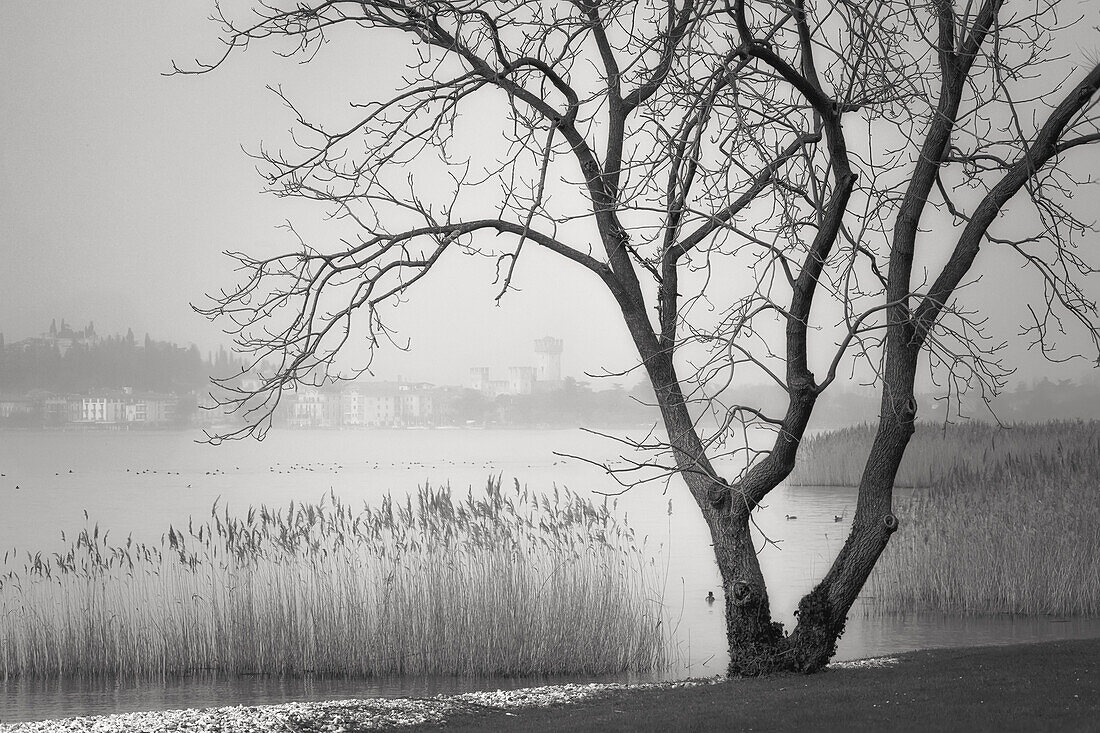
column 72, row 378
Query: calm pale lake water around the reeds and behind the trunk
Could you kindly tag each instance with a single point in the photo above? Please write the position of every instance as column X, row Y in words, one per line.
column 141, row 483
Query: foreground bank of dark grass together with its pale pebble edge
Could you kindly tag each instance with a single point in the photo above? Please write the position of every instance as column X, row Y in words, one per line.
column 1037, row 686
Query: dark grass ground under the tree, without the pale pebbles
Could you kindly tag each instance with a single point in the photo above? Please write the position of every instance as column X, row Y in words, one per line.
column 1030, row 687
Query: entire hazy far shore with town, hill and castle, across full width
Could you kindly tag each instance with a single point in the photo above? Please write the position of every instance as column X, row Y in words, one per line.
column 71, row 378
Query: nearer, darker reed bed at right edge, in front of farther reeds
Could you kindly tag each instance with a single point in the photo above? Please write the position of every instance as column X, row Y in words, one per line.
column 1019, row 537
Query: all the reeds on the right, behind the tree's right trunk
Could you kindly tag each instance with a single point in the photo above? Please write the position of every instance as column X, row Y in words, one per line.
column 1007, row 521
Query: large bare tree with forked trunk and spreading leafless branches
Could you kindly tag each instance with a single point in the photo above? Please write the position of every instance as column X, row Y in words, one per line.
column 768, row 189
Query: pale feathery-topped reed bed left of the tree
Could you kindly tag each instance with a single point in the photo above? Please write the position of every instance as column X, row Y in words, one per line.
column 507, row 583
